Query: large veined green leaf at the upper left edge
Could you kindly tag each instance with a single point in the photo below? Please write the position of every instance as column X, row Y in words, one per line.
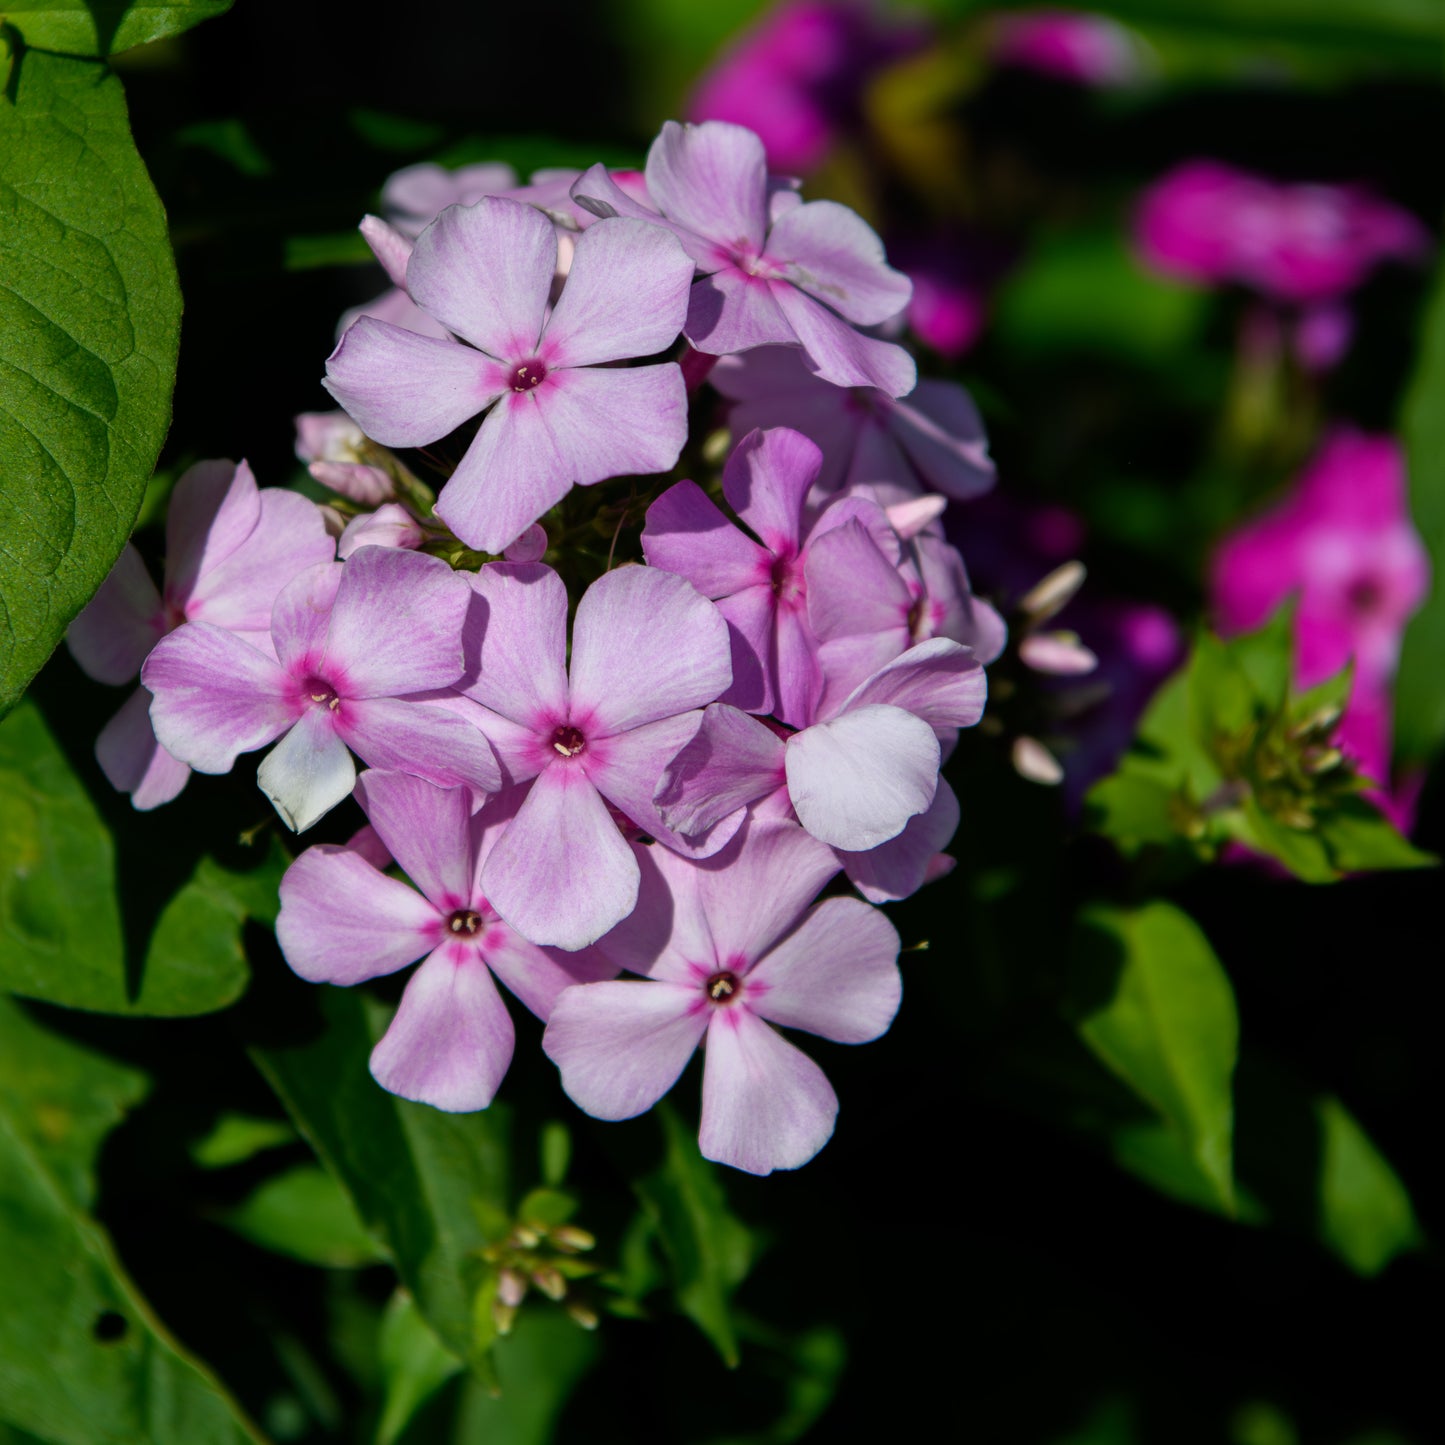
column 90, row 319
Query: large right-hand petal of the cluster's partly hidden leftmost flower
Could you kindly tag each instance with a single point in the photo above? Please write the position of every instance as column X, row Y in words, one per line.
column 242, row 589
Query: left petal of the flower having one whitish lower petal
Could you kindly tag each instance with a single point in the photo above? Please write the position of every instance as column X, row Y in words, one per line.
column 215, row 697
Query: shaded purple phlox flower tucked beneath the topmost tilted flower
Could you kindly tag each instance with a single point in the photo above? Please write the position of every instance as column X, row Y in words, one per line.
column 897, row 450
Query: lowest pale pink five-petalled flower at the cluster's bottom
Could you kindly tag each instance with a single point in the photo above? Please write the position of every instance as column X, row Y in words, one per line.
column 729, row 949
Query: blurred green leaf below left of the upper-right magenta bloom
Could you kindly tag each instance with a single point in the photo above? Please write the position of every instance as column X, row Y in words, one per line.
column 1084, row 291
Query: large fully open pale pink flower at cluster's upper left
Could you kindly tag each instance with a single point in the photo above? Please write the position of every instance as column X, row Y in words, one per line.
column 557, row 413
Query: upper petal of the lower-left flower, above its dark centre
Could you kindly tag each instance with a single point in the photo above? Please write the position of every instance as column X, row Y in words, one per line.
column 427, row 832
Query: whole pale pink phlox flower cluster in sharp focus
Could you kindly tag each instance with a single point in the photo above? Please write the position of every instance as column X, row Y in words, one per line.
column 658, row 774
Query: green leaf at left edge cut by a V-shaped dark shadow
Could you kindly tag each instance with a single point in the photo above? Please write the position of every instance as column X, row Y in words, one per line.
column 61, row 934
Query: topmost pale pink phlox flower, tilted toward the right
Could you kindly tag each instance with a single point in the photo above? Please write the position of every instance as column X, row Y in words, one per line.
column 774, row 271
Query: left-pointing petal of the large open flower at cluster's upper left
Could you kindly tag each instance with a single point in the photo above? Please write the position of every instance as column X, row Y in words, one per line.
column 405, row 389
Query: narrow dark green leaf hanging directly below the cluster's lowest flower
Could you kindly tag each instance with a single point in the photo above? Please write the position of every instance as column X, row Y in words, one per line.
column 709, row 1249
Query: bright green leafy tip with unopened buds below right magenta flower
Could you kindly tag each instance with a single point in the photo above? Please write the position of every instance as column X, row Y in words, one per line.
column 1229, row 751
